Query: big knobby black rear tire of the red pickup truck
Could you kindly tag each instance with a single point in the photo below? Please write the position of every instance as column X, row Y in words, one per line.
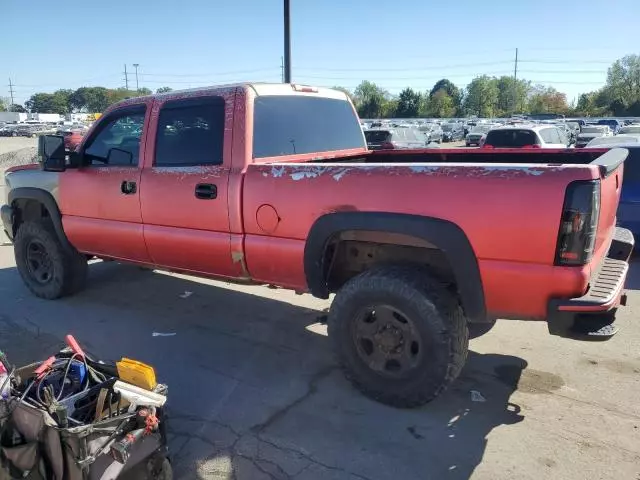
column 437, row 325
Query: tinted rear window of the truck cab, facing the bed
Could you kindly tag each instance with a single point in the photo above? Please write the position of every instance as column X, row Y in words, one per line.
column 286, row 125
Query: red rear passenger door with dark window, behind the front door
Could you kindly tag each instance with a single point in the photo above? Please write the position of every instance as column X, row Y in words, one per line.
column 185, row 183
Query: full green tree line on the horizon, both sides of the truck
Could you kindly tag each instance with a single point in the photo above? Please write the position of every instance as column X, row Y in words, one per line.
column 484, row 96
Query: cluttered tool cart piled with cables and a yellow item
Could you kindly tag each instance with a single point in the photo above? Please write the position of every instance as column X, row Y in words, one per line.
column 71, row 417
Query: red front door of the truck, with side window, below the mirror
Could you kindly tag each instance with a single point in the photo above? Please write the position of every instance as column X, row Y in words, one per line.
column 100, row 201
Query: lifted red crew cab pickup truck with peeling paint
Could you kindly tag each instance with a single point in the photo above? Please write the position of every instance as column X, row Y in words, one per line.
column 273, row 184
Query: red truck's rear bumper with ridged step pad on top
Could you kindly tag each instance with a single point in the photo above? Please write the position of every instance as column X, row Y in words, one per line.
column 605, row 293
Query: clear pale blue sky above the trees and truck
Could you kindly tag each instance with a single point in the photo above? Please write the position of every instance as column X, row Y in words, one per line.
column 182, row 44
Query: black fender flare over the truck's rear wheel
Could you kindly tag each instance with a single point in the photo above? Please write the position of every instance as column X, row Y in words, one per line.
column 443, row 234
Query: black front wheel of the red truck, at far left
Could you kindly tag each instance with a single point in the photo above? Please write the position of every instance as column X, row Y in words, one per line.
column 62, row 272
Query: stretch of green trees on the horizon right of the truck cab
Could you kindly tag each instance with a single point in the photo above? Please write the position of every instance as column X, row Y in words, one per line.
column 487, row 96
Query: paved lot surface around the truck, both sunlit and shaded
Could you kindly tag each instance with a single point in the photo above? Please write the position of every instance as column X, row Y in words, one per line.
column 255, row 392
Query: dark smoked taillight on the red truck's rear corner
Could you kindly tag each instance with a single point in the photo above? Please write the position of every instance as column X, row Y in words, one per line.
column 579, row 223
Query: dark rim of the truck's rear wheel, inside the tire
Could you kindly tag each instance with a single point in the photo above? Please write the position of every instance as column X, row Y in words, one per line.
column 387, row 340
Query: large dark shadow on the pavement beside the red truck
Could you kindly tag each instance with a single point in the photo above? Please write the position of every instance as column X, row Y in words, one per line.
column 253, row 392
